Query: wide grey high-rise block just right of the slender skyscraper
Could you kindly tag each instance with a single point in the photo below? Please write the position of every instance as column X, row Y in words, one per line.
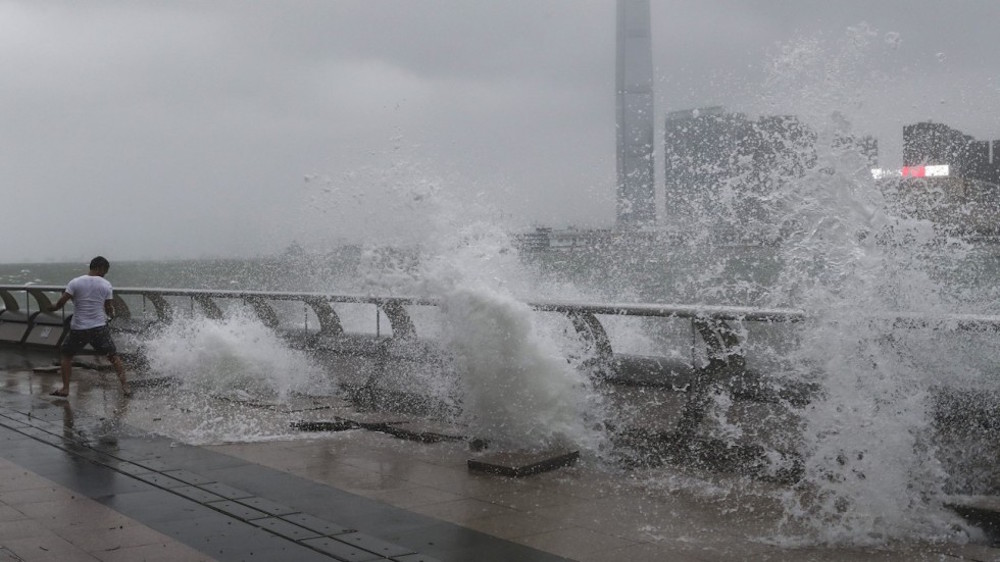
column 723, row 169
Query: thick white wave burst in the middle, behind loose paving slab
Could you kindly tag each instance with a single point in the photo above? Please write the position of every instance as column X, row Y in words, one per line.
column 519, row 387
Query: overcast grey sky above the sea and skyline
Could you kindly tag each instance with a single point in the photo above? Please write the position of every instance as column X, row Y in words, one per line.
column 189, row 128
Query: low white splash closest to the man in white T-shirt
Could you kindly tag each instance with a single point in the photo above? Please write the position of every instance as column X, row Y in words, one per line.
column 234, row 375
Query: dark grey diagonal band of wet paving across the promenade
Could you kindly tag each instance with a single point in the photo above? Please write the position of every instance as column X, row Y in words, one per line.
column 226, row 507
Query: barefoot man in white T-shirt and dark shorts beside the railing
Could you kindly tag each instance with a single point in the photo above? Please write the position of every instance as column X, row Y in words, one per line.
column 92, row 306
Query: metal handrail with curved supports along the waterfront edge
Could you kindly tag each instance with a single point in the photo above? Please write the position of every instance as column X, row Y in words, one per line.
column 723, row 346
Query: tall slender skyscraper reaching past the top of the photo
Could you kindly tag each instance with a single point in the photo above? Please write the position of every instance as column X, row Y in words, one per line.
column 636, row 202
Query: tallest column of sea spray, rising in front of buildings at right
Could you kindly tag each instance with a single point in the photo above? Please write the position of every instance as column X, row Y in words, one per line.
column 846, row 255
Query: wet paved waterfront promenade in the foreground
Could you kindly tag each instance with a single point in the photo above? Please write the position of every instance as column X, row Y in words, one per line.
column 78, row 481
